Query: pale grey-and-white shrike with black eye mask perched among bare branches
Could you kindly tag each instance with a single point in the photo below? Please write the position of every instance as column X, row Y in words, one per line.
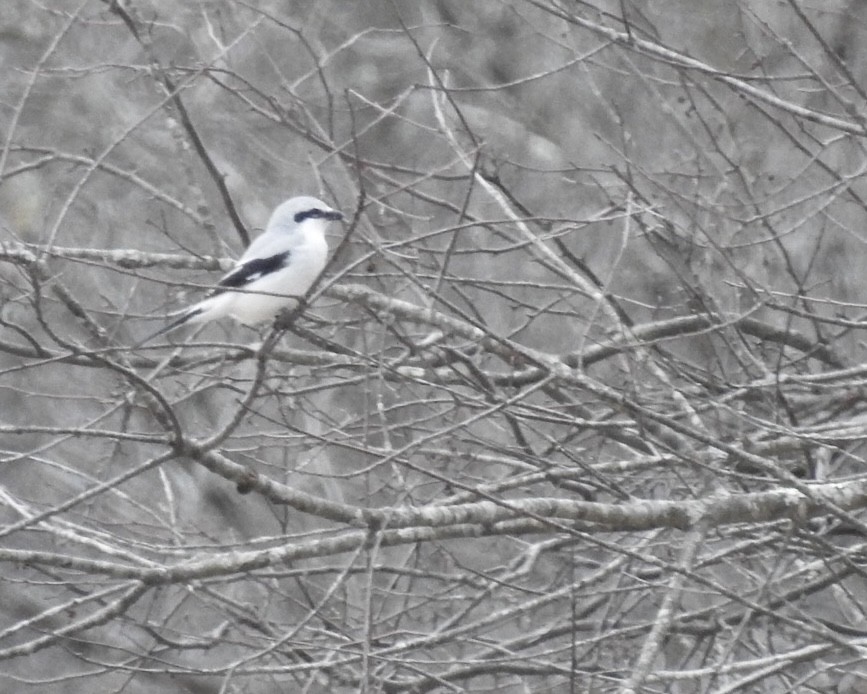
column 277, row 268
